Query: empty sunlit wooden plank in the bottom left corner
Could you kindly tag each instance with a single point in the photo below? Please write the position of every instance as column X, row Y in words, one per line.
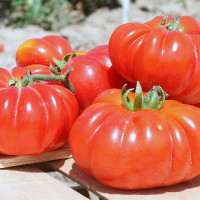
column 29, row 183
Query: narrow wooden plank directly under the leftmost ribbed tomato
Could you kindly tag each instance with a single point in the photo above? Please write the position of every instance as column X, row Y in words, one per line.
column 10, row 161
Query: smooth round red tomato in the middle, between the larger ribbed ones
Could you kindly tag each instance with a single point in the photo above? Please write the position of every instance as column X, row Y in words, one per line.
column 89, row 78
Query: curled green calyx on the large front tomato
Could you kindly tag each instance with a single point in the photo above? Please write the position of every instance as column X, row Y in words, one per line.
column 154, row 99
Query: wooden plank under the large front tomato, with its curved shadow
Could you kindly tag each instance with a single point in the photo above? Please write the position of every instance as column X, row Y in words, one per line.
column 182, row 191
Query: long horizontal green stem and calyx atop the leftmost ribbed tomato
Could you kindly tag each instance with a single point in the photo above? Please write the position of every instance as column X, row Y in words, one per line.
column 29, row 79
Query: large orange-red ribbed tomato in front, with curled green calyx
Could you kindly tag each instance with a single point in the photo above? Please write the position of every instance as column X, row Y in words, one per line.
column 129, row 149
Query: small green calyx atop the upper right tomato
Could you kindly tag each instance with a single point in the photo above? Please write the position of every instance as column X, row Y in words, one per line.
column 173, row 25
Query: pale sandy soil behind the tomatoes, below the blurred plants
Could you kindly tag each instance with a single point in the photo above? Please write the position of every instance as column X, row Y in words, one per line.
column 97, row 27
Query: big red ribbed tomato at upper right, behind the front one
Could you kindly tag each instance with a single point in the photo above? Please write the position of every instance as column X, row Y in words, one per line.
column 160, row 52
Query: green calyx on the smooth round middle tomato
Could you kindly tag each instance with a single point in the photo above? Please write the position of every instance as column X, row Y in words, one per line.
column 59, row 65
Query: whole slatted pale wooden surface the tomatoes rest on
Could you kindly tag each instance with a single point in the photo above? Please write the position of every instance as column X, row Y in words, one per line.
column 29, row 182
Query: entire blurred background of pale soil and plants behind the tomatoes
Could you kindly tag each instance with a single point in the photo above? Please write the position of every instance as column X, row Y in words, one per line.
column 85, row 23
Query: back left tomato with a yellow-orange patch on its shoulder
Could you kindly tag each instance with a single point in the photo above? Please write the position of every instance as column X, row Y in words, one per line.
column 42, row 51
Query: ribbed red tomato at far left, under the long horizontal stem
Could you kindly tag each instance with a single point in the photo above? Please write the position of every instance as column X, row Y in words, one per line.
column 34, row 119
